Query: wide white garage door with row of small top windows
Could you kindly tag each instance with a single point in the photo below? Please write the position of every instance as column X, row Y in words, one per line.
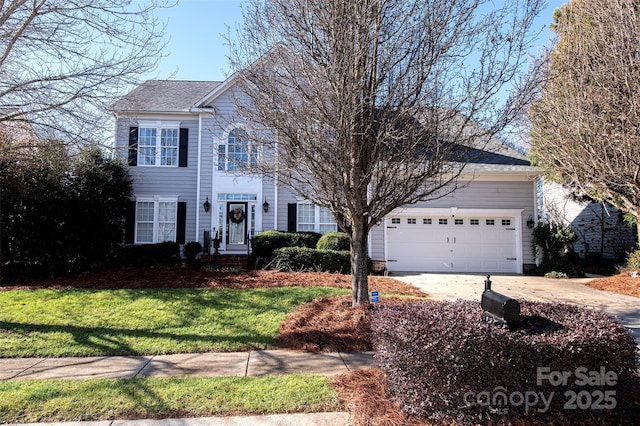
column 448, row 244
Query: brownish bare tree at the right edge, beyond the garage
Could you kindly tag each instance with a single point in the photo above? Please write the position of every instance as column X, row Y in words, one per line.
column 586, row 125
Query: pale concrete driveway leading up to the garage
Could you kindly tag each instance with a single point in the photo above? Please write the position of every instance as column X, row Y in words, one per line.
column 573, row 291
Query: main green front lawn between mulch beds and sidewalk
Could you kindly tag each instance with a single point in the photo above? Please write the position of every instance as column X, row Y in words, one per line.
column 77, row 322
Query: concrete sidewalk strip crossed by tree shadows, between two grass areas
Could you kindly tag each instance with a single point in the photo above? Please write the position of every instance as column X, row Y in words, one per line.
column 254, row 363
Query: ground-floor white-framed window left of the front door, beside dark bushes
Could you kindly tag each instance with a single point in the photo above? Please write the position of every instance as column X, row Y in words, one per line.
column 156, row 220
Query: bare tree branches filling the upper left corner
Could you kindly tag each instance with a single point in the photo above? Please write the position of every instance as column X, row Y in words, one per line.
column 62, row 62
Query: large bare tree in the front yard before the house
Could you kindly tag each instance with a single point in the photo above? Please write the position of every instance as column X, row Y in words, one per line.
column 368, row 104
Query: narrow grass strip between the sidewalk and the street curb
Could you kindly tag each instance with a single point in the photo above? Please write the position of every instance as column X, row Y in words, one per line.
column 106, row 399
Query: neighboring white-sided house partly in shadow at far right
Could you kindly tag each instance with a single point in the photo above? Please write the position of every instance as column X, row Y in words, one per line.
column 602, row 232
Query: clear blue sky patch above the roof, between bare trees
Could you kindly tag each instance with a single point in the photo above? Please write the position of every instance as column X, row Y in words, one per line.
column 197, row 48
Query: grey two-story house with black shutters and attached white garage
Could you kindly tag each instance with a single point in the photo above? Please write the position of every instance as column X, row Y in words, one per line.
column 184, row 138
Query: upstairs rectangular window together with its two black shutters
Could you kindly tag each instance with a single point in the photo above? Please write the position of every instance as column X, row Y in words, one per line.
column 158, row 144
